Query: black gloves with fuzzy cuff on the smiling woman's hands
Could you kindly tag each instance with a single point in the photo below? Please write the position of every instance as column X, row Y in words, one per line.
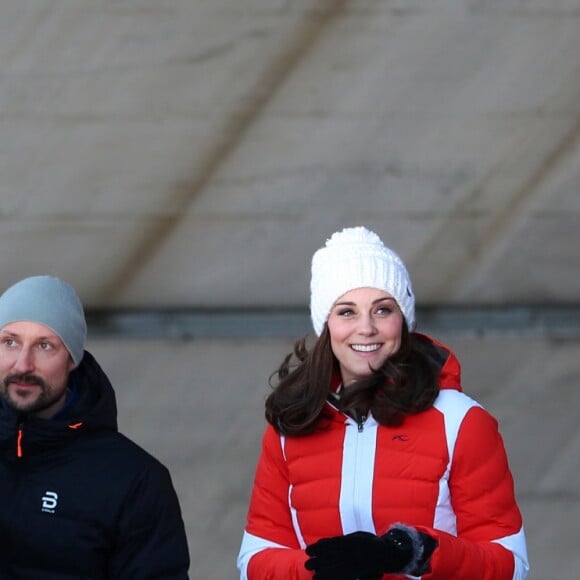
column 364, row 556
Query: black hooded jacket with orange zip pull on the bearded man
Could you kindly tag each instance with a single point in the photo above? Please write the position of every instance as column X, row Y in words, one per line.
column 80, row 500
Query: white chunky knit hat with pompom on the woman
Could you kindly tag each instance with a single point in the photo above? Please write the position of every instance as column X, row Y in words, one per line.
column 357, row 258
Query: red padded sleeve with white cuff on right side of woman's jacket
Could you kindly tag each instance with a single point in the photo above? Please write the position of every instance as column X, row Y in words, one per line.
column 490, row 543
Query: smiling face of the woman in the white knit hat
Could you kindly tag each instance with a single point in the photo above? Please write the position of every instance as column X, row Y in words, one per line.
column 365, row 327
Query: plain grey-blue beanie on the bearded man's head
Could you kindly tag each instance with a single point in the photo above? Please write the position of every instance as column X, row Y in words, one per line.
column 51, row 302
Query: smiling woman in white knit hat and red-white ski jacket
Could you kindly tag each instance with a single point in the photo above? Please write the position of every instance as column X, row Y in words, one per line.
column 374, row 464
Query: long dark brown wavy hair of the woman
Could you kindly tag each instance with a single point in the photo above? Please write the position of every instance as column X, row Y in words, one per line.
column 405, row 384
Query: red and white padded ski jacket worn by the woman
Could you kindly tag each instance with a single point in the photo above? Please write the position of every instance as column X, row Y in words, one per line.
column 443, row 471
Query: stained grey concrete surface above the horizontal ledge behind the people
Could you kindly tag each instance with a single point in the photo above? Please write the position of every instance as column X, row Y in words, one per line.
column 162, row 153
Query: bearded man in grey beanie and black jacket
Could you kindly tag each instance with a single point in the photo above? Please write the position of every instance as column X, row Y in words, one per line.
column 79, row 499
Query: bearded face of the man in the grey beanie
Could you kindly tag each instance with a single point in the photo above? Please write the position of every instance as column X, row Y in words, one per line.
column 34, row 368
